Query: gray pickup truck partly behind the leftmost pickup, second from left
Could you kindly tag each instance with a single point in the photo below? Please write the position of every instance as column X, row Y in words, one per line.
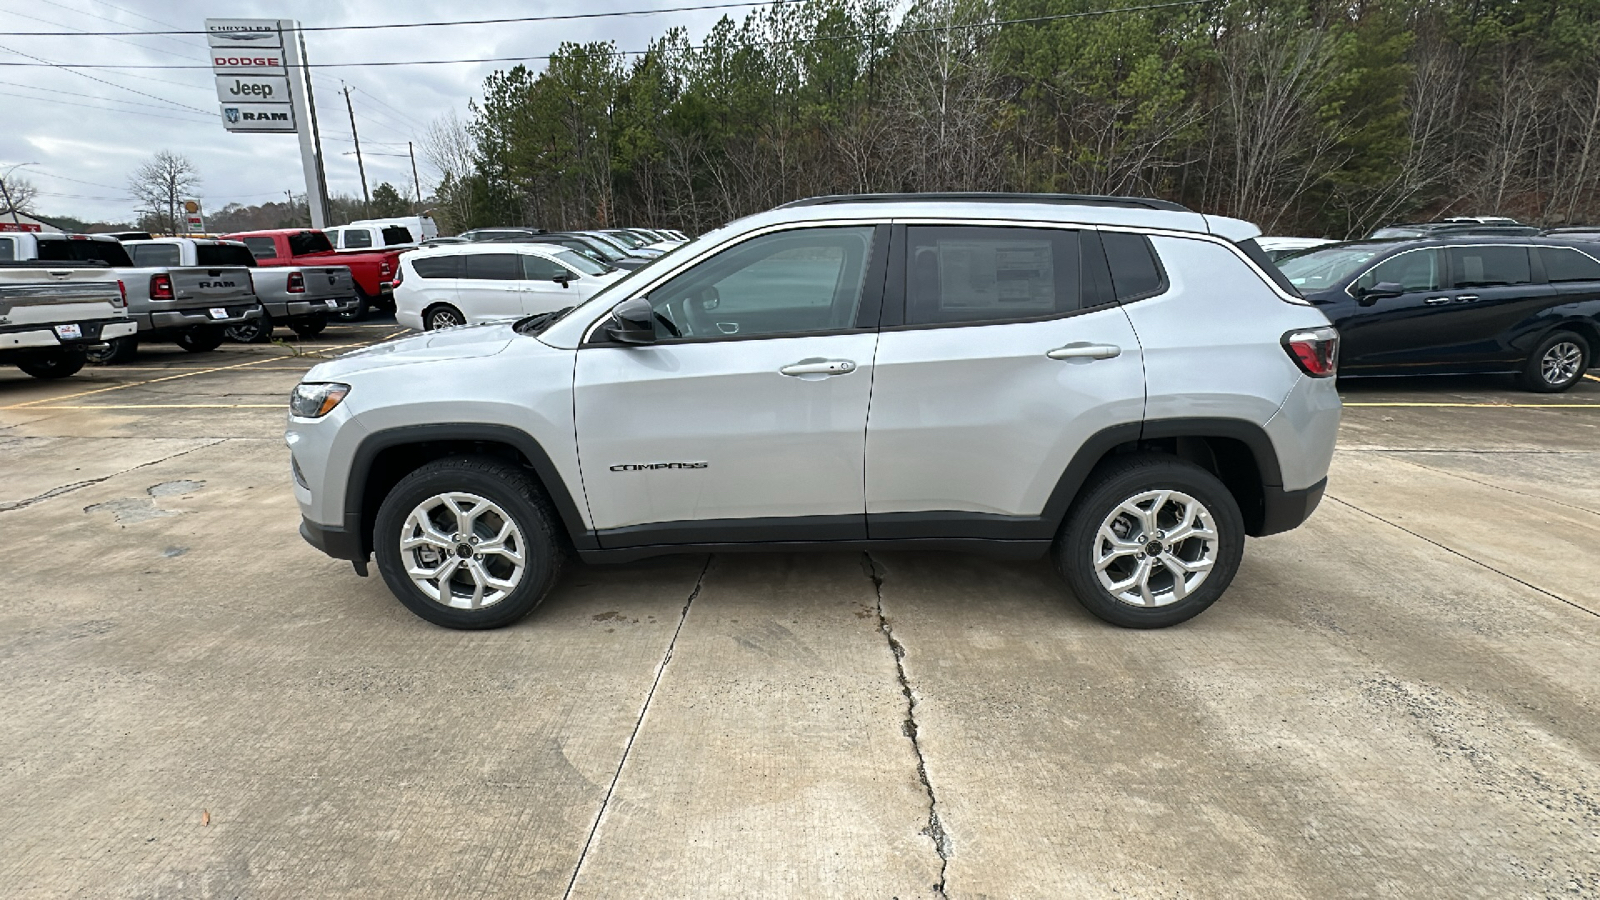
column 190, row 307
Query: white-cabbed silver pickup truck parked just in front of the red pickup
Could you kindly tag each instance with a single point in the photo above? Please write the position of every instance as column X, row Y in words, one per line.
column 300, row 297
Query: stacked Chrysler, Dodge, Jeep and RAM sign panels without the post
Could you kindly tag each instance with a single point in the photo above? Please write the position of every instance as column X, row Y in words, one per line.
column 252, row 73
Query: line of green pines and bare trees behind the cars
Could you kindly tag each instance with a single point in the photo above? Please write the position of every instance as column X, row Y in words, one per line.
column 1305, row 118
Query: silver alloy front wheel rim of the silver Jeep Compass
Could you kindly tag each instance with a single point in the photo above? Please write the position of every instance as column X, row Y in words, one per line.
column 463, row 552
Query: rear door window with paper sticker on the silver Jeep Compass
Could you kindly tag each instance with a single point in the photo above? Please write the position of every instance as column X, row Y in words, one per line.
column 988, row 275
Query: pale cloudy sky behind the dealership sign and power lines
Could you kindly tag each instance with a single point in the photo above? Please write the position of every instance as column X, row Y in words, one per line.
column 89, row 129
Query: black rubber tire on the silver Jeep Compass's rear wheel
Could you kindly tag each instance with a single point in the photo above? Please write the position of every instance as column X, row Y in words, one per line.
column 1110, row 488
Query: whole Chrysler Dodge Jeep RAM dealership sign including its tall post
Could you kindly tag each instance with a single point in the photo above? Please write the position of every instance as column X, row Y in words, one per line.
column 263, row 86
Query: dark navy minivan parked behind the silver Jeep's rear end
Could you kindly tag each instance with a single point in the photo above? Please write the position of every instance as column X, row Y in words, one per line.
column 1460, row 303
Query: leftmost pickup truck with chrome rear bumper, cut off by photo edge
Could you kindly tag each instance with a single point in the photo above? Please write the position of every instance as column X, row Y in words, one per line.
column 52, row 315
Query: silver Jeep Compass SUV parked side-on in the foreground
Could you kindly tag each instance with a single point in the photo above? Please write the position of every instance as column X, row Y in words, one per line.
column 1122, row 384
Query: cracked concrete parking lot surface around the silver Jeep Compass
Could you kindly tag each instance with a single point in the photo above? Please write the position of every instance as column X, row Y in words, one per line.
column 1398, row 701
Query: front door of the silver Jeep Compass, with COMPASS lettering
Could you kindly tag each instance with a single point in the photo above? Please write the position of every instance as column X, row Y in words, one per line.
column 746, row 419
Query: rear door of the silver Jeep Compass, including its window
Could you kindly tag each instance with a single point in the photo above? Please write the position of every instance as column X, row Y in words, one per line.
column 1006, row 353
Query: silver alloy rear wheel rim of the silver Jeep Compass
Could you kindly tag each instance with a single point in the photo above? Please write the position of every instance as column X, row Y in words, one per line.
column 1156, row 548
